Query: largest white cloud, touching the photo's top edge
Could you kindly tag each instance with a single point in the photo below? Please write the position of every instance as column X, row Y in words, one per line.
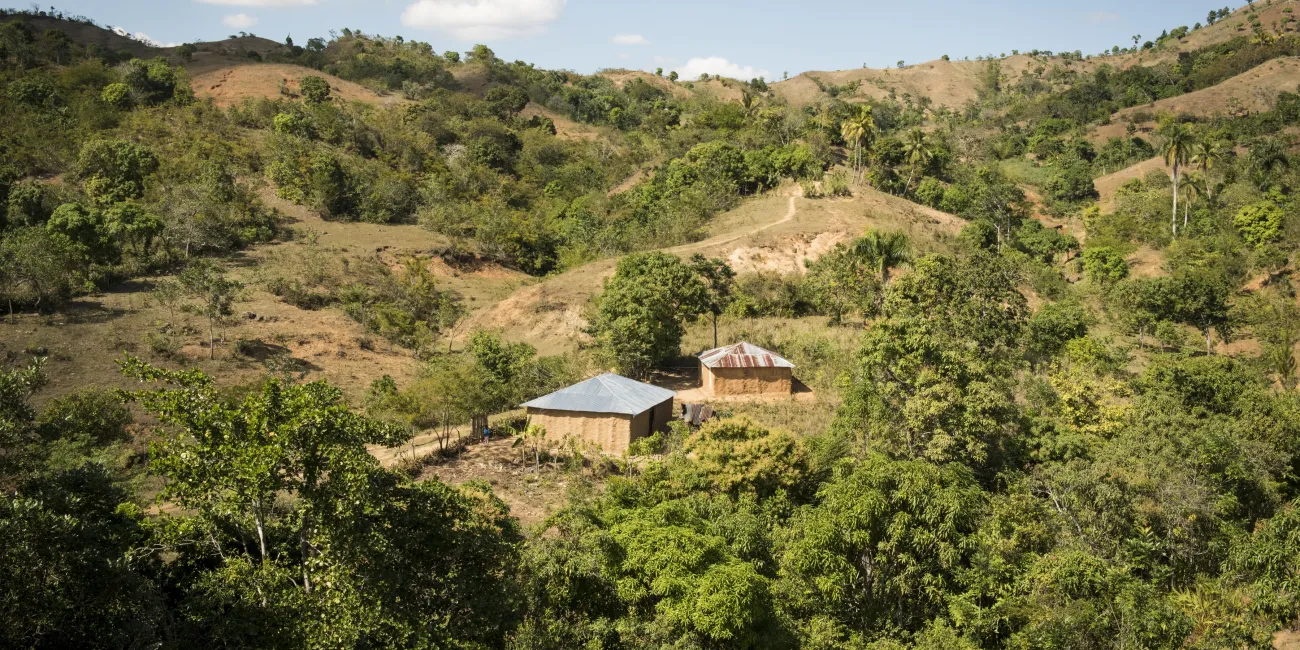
column 484, row 20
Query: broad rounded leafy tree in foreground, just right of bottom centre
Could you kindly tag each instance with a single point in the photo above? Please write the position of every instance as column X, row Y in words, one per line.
column 881, row 548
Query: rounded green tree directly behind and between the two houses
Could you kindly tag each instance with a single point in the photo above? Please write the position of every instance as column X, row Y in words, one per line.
column 642, row 314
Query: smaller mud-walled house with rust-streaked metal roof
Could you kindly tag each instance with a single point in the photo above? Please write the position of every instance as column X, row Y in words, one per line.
column 746, row 370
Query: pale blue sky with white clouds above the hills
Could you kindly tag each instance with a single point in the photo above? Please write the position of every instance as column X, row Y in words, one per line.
column 738, row 40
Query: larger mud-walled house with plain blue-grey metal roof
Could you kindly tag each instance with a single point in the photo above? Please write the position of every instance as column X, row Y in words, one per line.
column 609, row 411
